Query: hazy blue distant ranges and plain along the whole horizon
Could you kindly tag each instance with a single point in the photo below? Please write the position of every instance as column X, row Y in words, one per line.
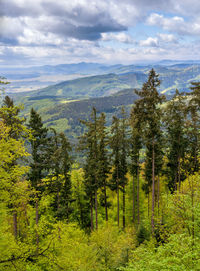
column 174, row 74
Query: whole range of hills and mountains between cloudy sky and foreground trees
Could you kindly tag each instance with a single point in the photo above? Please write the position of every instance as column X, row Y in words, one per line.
column 63, row 104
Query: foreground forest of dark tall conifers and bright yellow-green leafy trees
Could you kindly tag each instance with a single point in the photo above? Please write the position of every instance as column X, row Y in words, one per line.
column 131, row 203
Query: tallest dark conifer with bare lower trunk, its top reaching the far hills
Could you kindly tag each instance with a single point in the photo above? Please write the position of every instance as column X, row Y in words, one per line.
column 150, row 100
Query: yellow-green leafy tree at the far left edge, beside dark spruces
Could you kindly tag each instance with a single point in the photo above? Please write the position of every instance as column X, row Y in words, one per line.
column 11, row 173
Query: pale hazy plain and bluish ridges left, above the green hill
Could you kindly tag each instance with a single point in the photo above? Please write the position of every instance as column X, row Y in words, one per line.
column 31, row 78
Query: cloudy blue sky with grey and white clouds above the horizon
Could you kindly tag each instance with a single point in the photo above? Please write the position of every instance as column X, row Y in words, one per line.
column 50, row 32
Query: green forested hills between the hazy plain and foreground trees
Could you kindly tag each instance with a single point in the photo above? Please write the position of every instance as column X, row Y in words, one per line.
column 62, row 105
